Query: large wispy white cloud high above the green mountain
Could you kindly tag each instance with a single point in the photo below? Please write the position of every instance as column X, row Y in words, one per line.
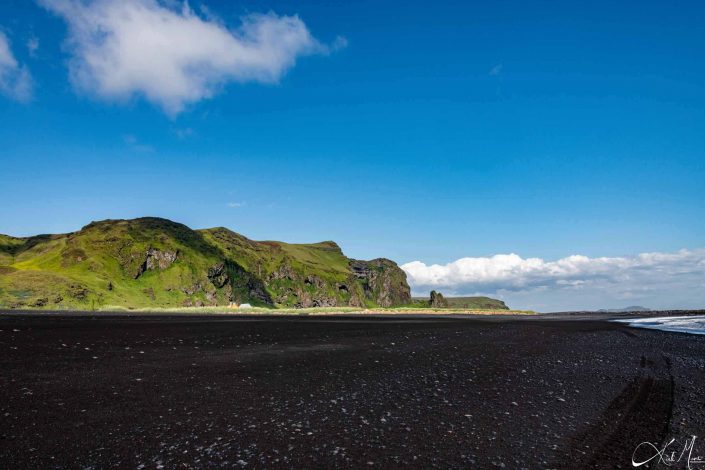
column 171, row 56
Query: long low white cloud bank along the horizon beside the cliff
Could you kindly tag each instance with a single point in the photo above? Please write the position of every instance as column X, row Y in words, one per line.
column 656, row 278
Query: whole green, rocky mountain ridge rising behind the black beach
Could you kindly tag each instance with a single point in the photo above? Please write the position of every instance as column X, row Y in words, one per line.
column 153, row 262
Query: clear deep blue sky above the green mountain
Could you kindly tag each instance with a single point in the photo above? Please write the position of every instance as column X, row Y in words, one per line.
column 411, row 130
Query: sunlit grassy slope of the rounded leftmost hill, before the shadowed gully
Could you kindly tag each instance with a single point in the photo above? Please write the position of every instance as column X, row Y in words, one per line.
column 104, row 264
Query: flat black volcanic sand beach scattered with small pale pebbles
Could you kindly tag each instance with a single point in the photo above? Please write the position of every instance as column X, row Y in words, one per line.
column 175, row 391
